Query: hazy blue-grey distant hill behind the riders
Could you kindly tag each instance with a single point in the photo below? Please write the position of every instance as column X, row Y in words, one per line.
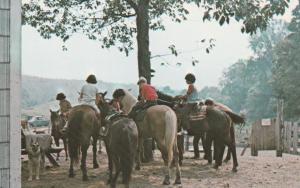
column 38, row 94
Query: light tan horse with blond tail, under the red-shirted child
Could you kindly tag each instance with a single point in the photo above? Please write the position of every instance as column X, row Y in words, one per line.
column 160, row 123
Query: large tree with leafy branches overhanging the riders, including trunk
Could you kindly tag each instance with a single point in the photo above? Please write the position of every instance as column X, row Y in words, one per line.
column 112, row 21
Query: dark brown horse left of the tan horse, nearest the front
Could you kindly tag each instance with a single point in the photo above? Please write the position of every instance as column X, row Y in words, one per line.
column 121, row 141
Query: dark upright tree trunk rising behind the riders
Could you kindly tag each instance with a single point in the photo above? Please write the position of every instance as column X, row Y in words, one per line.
column 142, row 24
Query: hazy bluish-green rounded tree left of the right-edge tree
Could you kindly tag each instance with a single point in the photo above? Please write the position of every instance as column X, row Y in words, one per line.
column 247, row 84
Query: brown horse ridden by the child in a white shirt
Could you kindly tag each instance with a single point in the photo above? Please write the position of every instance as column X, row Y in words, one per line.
column 83, row 124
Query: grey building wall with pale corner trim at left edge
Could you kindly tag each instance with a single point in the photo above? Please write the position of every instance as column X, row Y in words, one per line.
column 10, row 82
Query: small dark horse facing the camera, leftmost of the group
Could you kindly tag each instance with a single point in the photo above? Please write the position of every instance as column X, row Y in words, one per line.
column 57, row 125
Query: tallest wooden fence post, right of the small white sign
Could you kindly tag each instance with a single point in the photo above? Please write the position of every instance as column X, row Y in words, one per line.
column 278, row 128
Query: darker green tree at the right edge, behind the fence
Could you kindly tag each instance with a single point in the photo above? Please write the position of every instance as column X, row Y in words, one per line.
column 286, row 72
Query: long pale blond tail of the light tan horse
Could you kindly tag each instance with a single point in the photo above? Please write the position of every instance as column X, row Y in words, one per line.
column 171, row 131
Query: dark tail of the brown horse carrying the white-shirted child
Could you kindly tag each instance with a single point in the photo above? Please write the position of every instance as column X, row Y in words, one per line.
column 74, row 137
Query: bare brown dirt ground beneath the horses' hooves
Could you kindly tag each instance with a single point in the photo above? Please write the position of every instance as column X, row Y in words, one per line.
column 265, row 171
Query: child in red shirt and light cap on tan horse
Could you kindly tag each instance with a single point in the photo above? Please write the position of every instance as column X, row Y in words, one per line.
column 148, row 97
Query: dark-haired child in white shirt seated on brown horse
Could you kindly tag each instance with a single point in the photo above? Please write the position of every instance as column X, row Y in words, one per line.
column 89, row 94
